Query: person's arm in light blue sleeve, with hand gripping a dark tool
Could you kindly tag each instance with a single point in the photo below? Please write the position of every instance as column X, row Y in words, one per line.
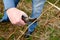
column 13, row 13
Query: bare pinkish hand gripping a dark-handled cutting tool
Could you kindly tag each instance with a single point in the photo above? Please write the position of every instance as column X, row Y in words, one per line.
column 15, row 16
